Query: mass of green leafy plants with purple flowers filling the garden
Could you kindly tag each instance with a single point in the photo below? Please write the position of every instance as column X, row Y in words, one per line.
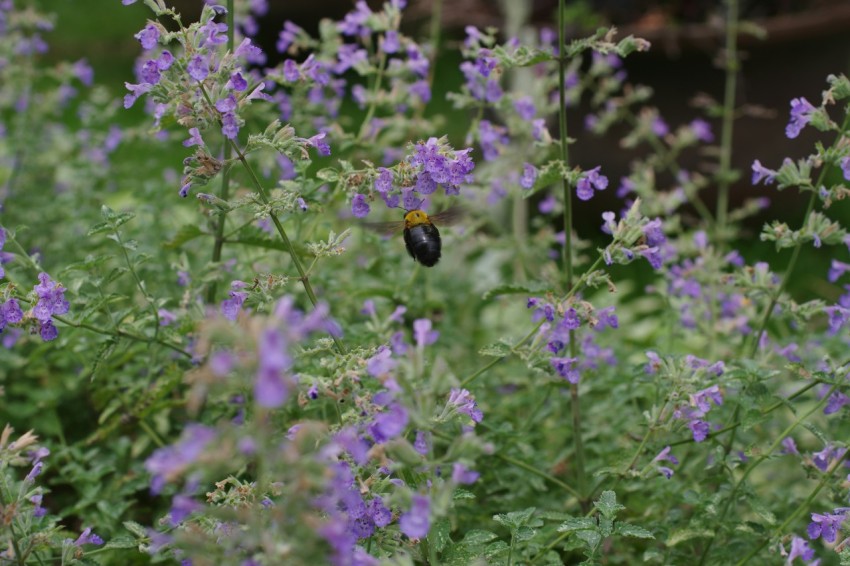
column 255, row 373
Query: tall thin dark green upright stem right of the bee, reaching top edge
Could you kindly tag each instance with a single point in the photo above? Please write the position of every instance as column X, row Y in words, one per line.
column 568, row 238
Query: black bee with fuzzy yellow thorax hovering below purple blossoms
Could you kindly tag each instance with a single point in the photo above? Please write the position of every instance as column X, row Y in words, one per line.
column 421, row 236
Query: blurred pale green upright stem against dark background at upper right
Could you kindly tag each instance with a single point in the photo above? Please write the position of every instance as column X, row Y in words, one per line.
column 724, row 174
